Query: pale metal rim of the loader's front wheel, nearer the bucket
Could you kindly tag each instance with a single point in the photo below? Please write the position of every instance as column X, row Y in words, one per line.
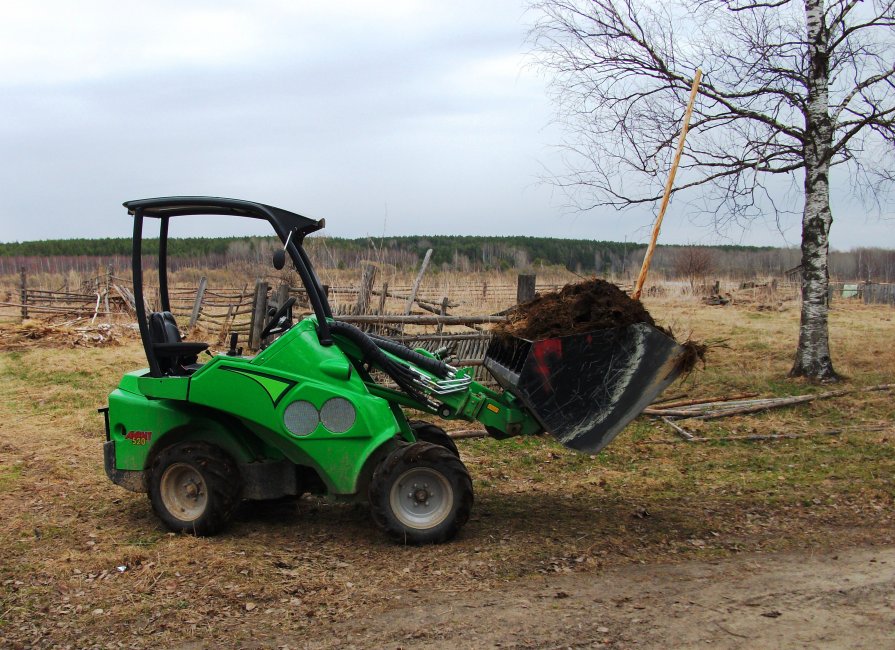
column 421, row 498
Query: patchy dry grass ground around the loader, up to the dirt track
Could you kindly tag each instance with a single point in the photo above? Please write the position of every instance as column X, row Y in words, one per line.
column 85, row 564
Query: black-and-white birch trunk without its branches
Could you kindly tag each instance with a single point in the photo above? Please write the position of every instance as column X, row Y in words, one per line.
column 813, row 353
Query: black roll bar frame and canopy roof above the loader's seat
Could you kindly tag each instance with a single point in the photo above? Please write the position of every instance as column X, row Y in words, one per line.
column 284, row 223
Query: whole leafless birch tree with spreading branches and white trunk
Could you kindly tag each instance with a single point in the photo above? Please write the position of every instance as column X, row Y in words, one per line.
column 789, row 88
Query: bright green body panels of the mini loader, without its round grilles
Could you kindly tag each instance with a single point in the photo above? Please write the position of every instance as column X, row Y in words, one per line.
column 248, row 398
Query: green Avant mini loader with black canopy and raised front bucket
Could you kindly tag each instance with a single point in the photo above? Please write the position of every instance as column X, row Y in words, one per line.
column 306, row 414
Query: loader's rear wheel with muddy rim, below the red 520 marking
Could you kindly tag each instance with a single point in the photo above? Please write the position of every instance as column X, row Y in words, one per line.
column 194, row 488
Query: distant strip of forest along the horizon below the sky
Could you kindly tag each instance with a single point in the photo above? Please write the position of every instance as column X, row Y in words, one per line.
column 456, row 253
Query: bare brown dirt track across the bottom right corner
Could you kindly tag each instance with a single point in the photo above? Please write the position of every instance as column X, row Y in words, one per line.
column 842, row 599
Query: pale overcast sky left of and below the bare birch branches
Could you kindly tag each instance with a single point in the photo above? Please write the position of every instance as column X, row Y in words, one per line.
column 386, row 118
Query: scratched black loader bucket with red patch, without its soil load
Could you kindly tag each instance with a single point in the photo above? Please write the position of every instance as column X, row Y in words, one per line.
column 585, row 388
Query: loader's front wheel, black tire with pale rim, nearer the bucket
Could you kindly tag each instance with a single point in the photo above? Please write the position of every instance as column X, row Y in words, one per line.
column 421, row 494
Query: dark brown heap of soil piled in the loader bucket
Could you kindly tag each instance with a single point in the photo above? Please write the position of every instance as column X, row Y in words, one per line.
column 584, row 307
